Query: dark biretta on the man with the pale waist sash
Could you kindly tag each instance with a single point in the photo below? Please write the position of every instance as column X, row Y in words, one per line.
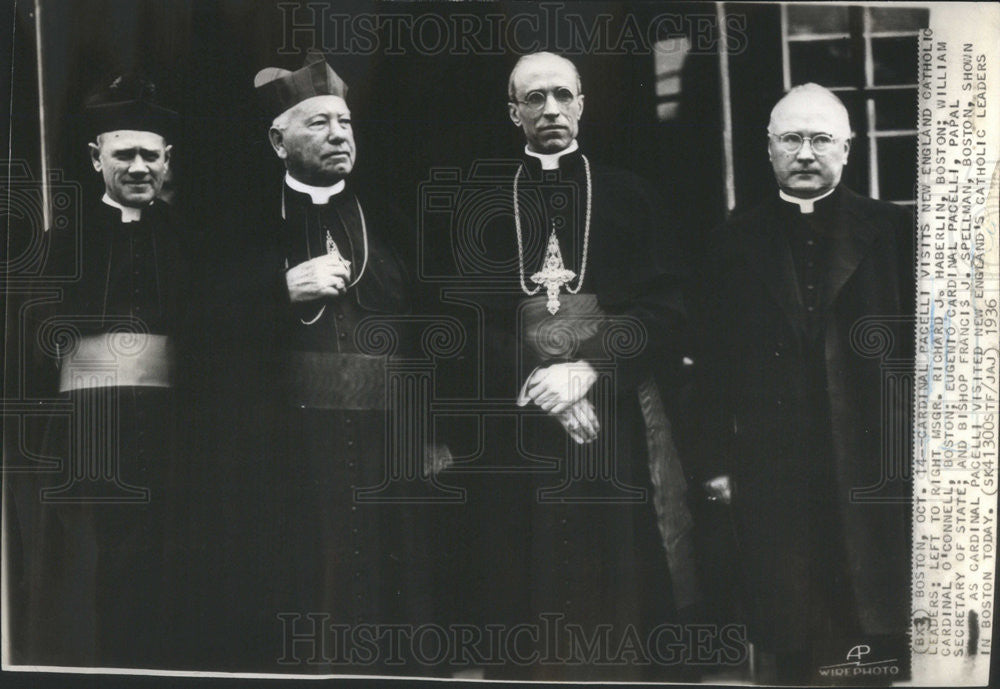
column 127, row 102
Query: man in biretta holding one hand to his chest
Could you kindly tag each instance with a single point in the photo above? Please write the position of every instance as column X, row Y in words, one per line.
column 325, row 264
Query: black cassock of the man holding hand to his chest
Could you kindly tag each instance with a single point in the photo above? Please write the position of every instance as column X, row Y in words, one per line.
column 309, row 429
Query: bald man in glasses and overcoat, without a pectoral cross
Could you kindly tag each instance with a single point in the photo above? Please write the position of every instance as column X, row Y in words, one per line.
column 806, row 421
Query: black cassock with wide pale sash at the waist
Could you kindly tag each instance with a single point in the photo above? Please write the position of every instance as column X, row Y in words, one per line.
column 98, row 534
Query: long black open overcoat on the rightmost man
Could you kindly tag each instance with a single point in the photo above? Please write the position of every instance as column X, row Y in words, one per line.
column 757, row 414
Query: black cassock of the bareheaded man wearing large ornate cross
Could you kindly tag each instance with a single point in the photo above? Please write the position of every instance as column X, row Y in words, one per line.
column 580, row 534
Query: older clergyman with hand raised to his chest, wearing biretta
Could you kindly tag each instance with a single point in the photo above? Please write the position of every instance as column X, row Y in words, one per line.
column 313, row 291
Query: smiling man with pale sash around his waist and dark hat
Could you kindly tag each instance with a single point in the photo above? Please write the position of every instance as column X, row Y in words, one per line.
column 95, row 532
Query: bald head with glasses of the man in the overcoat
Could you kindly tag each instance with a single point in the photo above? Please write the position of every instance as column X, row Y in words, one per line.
column 810, row 111
